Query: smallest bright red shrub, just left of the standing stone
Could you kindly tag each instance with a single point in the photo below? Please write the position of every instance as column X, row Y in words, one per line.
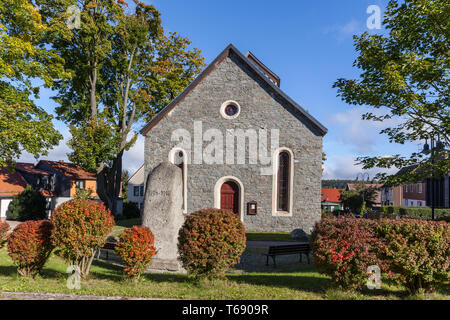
column 136, row 250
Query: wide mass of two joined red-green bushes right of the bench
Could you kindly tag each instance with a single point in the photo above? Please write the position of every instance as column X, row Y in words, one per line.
column 414, row 253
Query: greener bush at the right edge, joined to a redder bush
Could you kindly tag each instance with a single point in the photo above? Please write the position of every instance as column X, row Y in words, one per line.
column 417, row 252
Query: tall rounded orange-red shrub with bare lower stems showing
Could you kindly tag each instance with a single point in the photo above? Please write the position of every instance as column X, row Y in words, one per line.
column 81, row 228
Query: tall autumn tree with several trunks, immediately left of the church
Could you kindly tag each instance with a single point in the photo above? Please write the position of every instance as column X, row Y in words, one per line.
column 123, row 69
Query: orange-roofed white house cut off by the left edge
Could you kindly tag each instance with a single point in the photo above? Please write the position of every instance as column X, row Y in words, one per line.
column 11, row 184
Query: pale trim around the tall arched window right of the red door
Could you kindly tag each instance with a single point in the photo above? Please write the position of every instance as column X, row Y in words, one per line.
column 275, row 211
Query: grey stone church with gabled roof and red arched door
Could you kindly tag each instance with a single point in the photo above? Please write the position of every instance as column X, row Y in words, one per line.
column 242, row 144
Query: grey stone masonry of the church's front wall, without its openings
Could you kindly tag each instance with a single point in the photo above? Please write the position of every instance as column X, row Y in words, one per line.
column 260, row 108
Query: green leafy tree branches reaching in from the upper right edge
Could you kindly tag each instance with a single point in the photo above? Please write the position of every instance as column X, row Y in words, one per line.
column 405, row 78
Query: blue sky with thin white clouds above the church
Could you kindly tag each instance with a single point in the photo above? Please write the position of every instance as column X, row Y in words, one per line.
column 308, row 44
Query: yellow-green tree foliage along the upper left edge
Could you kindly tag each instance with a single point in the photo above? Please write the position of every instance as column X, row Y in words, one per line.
column 24, row 126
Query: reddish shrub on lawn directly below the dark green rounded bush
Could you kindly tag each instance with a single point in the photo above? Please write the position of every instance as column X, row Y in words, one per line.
column 29, row 246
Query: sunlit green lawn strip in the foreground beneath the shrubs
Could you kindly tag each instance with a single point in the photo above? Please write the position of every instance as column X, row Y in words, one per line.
column 299, row 281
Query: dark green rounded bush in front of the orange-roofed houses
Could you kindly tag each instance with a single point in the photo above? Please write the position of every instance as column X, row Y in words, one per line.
column 27, row 205
